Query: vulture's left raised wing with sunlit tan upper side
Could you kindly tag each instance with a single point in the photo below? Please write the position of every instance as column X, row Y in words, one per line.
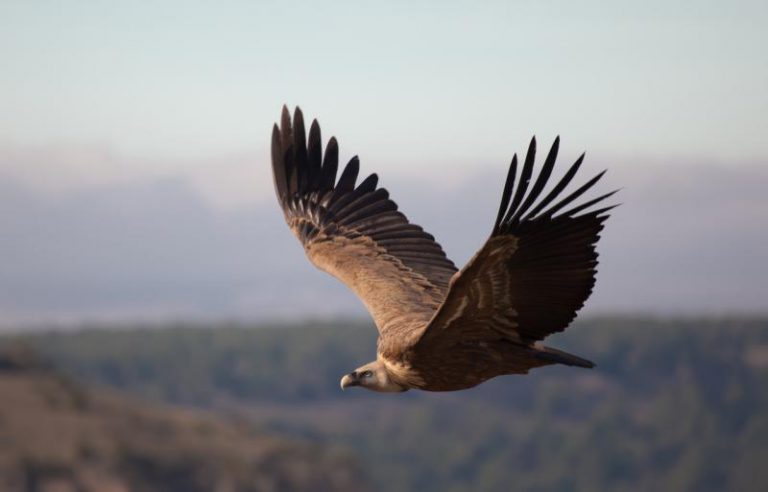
column 355, row 232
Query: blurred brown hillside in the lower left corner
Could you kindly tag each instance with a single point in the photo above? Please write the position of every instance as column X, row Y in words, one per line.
column 57, row 435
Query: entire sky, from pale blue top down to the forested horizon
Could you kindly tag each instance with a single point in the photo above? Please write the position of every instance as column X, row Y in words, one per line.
column 107, row 103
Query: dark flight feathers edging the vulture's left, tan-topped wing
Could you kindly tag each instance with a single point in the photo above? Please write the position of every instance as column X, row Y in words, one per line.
column 314, row 203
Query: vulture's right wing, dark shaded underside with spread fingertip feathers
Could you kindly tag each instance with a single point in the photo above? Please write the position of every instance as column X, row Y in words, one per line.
column 535, row 271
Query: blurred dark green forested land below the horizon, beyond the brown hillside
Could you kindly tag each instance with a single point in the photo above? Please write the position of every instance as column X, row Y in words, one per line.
column 672, row 404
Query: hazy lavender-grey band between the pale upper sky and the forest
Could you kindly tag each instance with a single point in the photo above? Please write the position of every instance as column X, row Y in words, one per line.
column 686, row 240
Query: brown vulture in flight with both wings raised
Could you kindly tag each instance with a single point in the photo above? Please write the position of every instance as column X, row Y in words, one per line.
column 441, row 328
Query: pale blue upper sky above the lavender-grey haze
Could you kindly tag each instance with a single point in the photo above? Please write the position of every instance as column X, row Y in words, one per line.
column 402, row 84
